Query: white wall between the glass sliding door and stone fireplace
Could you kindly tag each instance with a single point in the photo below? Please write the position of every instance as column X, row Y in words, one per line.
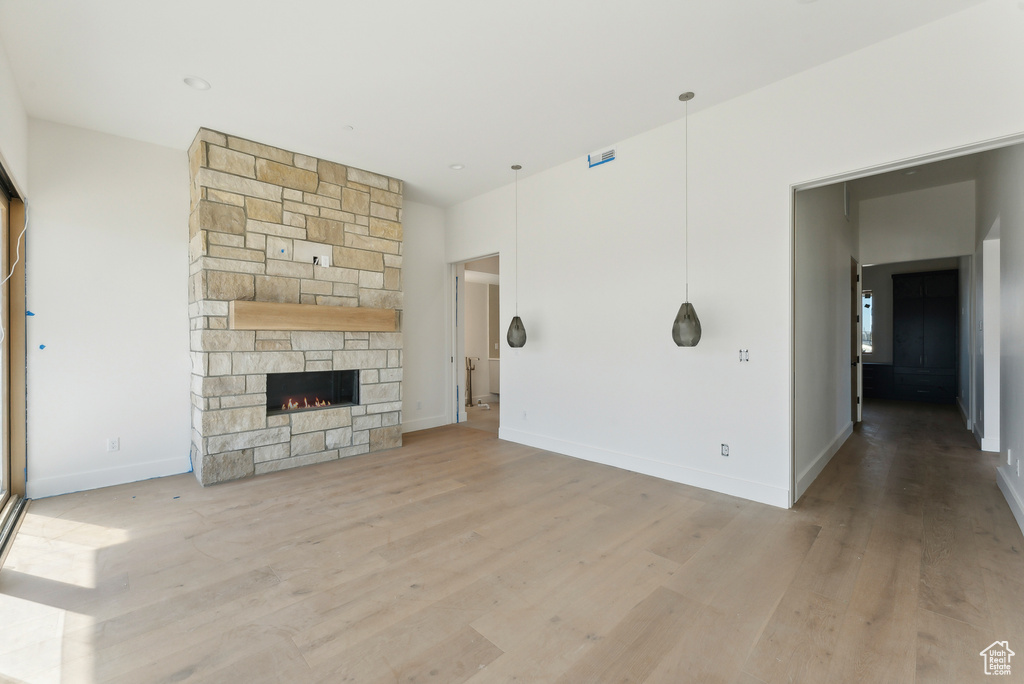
column 108, row 269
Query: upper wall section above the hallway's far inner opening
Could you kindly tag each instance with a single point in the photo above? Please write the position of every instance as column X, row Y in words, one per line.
column 931, row 224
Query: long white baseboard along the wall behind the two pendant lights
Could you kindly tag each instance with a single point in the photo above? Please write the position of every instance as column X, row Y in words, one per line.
column 758, row 492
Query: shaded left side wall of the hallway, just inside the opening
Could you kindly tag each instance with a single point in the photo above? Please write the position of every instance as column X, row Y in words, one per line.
column 825, row 244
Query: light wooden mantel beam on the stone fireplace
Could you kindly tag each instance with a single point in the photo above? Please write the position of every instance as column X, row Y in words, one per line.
column 273, row 316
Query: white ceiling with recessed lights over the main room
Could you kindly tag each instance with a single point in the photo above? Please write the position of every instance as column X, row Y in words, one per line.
column 424, row 83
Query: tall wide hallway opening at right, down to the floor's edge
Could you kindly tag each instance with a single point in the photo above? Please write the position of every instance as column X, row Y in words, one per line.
column 920, row 217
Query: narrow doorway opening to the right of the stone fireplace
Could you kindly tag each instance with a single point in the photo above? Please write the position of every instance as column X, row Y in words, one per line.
column 479, row 344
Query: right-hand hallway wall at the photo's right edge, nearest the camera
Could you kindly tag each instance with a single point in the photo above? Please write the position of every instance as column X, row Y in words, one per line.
column 1001, row 200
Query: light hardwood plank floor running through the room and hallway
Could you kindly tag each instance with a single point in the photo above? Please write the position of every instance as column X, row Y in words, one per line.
column 462, row 559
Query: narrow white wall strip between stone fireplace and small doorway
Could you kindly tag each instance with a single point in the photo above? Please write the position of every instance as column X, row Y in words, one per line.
column 424, row 322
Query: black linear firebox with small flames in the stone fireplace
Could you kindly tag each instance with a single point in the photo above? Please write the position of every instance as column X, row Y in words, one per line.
column 318, row 390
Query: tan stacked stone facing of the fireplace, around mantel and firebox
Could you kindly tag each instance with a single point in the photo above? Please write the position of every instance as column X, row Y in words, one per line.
column 258, row 215
